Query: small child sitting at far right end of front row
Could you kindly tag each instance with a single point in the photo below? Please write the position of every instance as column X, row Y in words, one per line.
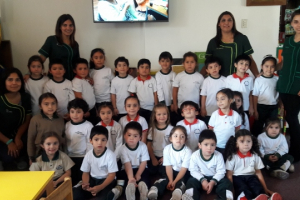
column 274, row 150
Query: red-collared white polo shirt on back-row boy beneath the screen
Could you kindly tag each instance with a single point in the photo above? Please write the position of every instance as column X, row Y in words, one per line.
column 144, row 91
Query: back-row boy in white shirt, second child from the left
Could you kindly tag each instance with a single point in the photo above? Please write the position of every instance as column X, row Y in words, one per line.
column 60, row 87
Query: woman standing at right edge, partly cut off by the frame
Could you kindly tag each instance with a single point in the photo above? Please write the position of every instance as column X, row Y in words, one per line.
column 288, row 84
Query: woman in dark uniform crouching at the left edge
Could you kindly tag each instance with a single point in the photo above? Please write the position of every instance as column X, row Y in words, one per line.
column 15, row 114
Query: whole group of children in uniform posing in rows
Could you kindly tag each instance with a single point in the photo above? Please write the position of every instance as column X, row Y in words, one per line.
column 122, row 151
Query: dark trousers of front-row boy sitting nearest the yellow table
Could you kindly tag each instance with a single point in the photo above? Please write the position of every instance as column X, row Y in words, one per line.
column 105, row 194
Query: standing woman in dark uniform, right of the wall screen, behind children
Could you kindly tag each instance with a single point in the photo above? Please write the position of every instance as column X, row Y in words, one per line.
column 228, row 44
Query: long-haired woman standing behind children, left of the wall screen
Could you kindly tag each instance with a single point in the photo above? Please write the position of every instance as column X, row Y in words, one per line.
column 62, row 45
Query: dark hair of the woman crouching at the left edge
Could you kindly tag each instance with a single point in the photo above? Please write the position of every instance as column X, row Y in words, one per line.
column 7, row 72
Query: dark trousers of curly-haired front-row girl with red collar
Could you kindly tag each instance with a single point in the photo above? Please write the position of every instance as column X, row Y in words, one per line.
column 249, row 184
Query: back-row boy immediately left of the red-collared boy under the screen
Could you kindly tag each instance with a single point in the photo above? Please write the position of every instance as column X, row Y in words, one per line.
column 119, row 87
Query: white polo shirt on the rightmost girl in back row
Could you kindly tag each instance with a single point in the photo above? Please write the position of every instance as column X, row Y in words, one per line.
column 265, row 89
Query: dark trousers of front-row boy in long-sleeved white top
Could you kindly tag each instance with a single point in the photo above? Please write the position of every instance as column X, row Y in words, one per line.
column 220, row 189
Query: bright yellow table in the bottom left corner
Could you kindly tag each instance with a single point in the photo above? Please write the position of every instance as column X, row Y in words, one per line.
column 25, row 185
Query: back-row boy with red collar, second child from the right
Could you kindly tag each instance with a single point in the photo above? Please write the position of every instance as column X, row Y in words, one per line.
column 242, row 82
